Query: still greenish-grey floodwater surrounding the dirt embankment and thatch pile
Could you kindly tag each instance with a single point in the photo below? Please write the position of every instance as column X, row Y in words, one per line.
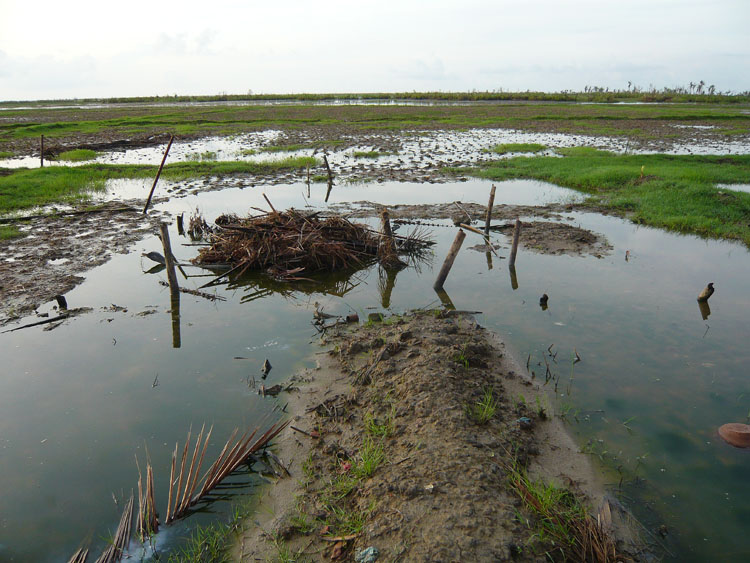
column 655, row 382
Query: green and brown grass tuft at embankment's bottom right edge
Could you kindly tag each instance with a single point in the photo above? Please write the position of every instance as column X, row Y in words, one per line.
column 562, row 529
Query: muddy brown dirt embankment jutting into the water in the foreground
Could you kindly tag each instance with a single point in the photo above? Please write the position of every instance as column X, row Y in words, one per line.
column 386, row 456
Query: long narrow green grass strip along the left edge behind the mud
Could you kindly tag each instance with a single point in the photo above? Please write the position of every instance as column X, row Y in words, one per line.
column 25, row 188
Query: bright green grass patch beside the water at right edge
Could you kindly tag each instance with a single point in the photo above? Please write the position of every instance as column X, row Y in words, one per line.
column 674, row 192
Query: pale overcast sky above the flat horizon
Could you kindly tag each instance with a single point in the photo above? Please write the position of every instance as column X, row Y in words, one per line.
column 86, row 48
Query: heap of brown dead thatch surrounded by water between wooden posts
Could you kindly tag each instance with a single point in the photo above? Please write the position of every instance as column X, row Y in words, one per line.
column 288, row 243
